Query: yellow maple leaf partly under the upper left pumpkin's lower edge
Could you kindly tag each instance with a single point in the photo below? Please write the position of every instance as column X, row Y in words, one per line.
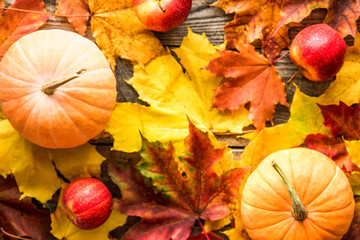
column 34, row 167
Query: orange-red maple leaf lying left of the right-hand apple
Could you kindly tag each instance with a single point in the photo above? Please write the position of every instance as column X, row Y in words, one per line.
column 249, row 77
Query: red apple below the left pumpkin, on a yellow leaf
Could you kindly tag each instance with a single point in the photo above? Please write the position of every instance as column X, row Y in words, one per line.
column 87, row 203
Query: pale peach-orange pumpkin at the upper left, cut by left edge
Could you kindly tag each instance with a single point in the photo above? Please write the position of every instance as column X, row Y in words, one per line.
column 56, row 88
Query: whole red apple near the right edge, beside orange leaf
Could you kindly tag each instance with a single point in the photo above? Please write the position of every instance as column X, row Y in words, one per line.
column 319, row 52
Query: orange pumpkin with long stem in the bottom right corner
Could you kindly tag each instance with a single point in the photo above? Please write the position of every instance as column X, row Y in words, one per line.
column 297, row 194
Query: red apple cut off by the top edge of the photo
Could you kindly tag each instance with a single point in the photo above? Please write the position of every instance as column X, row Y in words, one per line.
column 162, row 15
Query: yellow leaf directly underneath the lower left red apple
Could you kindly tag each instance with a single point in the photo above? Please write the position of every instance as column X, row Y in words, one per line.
column 63, row 228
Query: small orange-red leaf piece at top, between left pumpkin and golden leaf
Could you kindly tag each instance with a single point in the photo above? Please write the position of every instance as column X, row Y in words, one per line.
column 80, row 10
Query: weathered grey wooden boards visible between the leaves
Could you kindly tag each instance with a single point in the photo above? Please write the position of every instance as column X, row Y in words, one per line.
column 210, row 20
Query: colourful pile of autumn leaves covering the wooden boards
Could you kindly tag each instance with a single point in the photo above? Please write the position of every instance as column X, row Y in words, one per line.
column 181, row 107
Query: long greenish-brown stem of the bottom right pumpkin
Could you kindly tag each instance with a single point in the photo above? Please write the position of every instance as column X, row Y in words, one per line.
column 299, row 211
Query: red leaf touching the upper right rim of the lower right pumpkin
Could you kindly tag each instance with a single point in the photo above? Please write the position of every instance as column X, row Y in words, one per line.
column 334, row 148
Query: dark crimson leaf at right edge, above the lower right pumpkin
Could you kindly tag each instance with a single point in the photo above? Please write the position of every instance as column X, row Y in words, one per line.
column 342, row 120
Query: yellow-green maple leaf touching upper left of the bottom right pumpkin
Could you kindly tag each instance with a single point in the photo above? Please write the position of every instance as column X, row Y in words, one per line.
column 305, row 118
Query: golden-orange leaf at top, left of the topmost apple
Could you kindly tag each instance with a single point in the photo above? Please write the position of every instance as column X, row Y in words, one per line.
column 119, row 33
